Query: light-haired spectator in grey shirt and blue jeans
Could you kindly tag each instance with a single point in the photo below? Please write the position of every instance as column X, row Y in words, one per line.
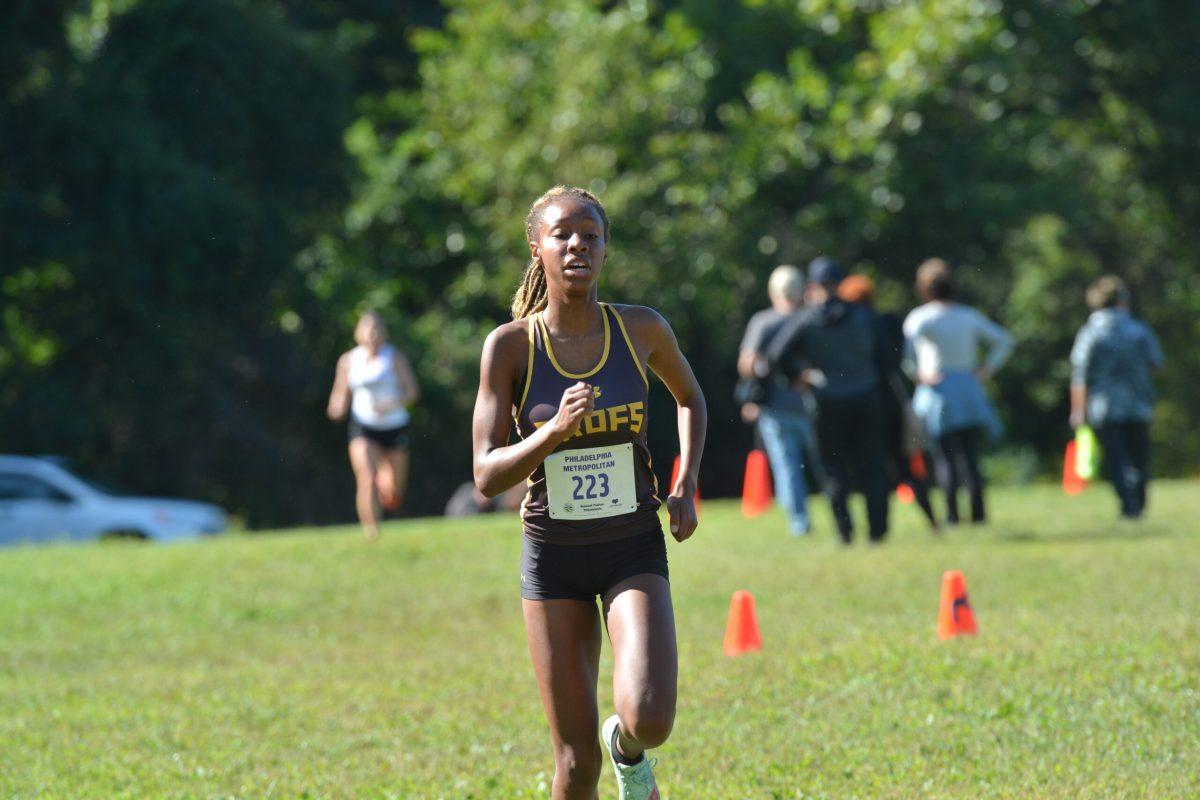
column 773, row 401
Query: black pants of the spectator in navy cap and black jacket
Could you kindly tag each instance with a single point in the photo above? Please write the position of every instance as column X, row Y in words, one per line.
column 850, row 435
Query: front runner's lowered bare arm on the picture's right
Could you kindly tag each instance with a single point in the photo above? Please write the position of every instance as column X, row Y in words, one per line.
column 655, row 339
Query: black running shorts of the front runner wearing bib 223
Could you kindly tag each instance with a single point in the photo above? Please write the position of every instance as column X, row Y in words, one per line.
column 584, row 572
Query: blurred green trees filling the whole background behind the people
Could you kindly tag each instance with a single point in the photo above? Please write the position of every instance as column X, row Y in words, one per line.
column 197, row 200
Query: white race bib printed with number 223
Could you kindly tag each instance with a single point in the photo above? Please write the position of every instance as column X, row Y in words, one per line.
column 591, row 484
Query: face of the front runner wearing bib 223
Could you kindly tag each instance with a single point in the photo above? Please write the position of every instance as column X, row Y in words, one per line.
column 572, row 245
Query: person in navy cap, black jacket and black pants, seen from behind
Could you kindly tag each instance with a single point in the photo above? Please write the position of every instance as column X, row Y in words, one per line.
column 836, row 348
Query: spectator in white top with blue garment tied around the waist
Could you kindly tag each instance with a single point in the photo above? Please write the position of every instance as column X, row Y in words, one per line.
column 944, row 340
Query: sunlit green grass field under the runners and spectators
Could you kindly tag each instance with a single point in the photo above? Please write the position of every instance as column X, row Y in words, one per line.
column 310, row 664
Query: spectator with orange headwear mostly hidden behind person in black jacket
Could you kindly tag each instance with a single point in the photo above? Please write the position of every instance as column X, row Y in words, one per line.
column 898, row 435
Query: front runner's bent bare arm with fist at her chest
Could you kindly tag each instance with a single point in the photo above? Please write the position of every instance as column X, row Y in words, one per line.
column 500, row 466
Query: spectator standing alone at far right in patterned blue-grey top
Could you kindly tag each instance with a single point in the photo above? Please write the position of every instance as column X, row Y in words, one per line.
column 1111, row 389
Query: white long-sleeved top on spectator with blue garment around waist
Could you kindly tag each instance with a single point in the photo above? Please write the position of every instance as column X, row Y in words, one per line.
column 944, row 338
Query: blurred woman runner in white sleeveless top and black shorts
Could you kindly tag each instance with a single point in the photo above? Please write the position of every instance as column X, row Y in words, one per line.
column 375, row 387
